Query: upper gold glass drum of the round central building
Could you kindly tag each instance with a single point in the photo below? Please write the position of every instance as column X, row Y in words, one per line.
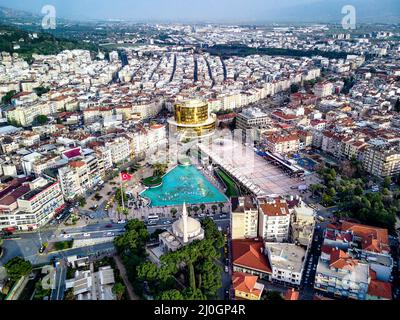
column 191, row 113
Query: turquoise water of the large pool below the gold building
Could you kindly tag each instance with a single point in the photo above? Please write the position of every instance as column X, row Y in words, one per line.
column 184, row 184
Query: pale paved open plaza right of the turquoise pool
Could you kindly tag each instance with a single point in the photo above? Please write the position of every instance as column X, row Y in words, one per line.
column 242, row 161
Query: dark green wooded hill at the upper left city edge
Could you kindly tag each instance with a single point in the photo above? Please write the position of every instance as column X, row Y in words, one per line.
column 27, row 43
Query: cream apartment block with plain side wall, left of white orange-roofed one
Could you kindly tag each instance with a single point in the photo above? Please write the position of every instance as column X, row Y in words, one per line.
column 244, row 218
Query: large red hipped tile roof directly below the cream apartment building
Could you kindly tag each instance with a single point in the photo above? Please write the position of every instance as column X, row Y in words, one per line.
column 247, row 253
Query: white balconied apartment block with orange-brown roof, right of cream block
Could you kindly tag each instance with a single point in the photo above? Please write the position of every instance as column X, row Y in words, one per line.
column 274, row 220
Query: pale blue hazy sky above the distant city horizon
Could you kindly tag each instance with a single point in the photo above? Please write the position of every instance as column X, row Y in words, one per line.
column 212, row 10
